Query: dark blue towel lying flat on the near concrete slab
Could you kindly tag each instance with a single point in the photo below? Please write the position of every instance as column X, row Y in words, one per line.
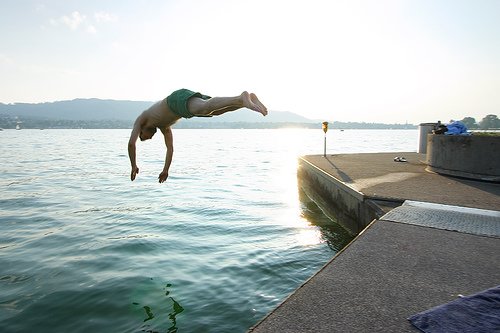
column 479, row 313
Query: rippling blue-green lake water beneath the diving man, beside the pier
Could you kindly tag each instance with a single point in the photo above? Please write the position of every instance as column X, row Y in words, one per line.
column 213, row 249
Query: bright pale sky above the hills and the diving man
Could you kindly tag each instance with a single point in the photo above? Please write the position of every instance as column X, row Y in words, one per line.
column 339, row 60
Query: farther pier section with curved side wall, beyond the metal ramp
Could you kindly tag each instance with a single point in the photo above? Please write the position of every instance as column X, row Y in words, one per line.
column 357, row 188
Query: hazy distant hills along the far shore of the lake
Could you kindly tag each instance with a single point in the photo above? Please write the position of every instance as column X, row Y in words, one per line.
column 99, row 113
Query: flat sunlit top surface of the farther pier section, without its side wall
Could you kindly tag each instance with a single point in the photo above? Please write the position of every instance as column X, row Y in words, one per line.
column 377, row 176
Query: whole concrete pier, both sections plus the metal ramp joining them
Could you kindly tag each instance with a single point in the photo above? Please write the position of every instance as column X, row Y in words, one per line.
column 443, row 241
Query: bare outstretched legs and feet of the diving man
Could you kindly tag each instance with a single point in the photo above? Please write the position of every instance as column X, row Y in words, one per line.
column 219, row 105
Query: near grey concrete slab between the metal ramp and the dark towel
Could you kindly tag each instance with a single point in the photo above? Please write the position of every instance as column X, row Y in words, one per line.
column 388, row 273
